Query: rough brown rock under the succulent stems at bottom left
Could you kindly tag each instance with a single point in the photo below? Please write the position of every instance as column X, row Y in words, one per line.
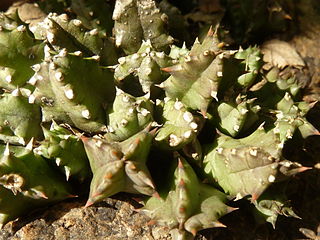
column 111, row 219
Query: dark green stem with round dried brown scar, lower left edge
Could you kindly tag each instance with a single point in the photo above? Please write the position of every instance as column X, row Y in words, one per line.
column 27, row 181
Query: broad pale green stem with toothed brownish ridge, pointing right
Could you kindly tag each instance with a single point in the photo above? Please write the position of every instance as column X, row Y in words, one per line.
column 247, row 166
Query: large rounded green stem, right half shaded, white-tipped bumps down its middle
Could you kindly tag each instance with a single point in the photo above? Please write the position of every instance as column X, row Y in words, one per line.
column 66, row 98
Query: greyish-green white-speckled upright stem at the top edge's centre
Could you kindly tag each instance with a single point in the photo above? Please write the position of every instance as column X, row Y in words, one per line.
column 137, row 20
